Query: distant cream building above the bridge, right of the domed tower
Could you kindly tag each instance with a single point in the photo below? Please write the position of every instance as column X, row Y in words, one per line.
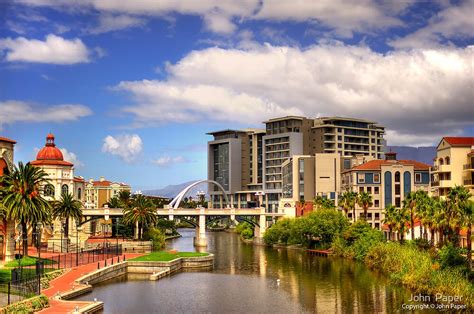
column 100, row 192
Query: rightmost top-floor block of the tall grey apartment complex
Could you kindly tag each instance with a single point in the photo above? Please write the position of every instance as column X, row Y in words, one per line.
column 348, row 137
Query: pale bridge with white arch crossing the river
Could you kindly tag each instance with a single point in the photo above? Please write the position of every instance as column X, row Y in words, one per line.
column 173, row 210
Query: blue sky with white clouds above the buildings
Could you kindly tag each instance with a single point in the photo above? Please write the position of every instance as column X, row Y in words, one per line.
column 130, row 88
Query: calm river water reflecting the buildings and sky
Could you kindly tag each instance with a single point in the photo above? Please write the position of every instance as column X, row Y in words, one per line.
column 244, row 280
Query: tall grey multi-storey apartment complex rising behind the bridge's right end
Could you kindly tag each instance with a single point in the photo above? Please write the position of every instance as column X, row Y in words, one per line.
column 249, row 162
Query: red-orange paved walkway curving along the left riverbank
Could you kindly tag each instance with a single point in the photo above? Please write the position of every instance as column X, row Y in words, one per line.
column 66, row 282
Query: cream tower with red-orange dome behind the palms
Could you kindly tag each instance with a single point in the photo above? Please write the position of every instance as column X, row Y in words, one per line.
column 60, row 172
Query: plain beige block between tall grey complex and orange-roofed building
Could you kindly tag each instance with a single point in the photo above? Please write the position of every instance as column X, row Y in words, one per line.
column 305, row 177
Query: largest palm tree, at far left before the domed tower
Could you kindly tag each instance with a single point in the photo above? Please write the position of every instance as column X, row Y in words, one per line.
column 23, row 201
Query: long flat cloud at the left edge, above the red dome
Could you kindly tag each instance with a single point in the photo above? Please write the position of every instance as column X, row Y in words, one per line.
column 12, row 111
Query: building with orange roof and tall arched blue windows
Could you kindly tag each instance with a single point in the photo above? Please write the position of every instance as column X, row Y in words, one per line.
column 388, row 180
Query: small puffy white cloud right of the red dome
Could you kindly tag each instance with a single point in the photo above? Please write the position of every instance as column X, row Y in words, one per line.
column 127, row 146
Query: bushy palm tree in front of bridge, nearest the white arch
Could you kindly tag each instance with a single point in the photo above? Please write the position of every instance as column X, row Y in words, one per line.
column 141, row 212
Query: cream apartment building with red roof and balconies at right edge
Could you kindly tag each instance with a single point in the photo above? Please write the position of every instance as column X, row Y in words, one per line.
column 453, row 165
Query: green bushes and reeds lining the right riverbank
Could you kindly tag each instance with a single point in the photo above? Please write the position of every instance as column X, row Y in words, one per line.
column 415, row 264
